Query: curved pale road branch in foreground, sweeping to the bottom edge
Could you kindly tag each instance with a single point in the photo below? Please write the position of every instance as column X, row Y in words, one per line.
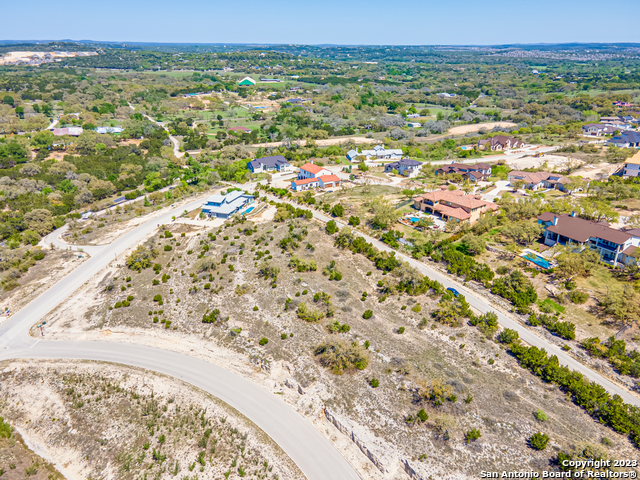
column 310, row 451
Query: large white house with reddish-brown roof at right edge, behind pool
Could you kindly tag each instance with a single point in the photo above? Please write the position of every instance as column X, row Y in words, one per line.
column 615, row 246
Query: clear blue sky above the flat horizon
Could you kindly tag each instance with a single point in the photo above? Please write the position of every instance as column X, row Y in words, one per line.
column 347, row 22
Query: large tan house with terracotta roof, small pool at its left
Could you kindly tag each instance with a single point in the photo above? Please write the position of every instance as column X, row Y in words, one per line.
column 454, row 205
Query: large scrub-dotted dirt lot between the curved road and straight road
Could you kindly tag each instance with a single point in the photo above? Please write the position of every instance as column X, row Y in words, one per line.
column 244, row 308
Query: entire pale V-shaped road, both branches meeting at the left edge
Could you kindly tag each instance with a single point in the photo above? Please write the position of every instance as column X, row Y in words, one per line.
column 312, row 453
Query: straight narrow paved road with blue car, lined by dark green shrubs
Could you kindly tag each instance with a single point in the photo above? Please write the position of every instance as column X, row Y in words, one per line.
column 484, row 305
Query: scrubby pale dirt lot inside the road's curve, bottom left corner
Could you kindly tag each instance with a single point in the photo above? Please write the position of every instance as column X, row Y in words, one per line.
column 156, row 425
